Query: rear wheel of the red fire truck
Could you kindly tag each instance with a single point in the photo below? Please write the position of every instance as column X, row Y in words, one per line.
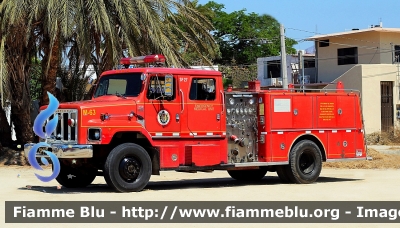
column 305, row 162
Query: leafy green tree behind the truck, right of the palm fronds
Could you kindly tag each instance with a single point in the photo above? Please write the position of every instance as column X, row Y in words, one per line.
column 243, row 37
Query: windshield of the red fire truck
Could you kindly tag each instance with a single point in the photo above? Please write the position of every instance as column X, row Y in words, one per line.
column 127, row 85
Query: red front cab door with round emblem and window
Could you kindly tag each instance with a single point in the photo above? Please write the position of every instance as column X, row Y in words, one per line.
column 162, row 104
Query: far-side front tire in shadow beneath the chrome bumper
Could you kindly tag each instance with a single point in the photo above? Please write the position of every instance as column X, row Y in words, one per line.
column 70, row 177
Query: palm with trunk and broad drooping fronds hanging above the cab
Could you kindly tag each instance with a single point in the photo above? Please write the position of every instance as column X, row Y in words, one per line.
column 102, row 29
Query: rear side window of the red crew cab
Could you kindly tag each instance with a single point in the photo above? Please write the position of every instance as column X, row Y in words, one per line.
column 202, row 89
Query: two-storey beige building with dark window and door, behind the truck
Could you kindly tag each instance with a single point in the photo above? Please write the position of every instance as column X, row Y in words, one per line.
column 366, row 60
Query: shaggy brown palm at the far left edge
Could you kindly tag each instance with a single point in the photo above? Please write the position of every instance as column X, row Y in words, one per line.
column 17, row 47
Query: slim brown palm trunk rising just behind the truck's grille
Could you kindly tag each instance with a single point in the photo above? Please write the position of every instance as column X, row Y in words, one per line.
column 50, row 65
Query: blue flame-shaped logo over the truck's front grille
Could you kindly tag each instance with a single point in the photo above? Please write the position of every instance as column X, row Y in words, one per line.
column 49, row 129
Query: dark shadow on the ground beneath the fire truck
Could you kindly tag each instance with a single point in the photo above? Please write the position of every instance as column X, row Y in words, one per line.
column 180, row 184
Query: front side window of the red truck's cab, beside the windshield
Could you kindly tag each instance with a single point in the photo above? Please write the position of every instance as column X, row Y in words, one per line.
column 156, row 88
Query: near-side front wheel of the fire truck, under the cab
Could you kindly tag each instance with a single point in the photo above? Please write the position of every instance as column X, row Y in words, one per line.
column 128, row 168
